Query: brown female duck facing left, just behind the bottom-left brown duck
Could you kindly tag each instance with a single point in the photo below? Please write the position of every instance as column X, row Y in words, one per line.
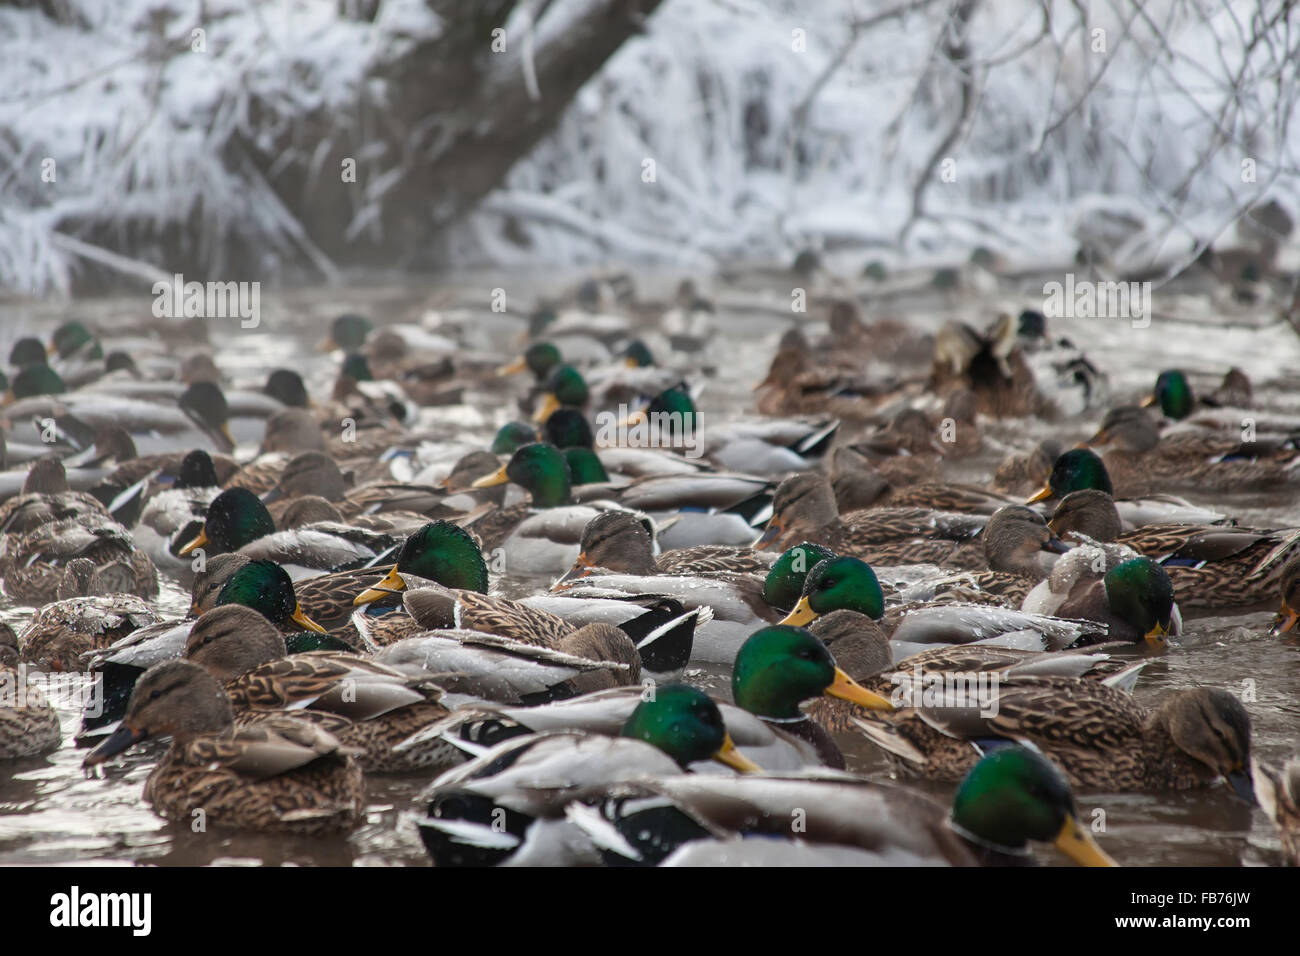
column 378, row 707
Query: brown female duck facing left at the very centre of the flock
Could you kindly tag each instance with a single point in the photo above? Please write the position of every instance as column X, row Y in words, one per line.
column 619, row 542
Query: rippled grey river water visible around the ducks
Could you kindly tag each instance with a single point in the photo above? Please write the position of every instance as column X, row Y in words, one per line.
column 51, row 812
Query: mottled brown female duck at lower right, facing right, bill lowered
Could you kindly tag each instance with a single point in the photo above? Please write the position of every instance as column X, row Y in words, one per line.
column 1102, row 738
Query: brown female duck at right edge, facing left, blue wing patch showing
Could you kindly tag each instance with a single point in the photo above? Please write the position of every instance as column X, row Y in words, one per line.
column 1210, row 566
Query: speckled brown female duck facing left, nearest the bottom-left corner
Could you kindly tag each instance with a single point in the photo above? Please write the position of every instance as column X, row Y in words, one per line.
column 280, row 776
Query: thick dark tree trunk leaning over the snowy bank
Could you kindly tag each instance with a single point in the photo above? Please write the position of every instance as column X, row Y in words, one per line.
column 453, row 118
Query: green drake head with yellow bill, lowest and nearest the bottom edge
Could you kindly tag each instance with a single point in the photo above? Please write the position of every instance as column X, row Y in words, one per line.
column 1015, row 797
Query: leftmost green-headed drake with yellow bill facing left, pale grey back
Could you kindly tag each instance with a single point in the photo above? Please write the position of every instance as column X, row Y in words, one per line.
column 237, row 521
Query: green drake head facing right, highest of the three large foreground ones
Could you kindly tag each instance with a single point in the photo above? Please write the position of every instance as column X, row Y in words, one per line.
column 779, row 668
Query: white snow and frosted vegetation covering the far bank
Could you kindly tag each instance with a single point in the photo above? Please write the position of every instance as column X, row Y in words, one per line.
column 136, row 124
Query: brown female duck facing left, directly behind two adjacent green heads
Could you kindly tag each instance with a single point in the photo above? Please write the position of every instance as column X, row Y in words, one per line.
column 804, row 509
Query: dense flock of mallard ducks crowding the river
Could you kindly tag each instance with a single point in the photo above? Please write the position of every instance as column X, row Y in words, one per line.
column 522, row 618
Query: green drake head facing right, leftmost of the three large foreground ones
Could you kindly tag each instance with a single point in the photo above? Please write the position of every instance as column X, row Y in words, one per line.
column 687, row 725
